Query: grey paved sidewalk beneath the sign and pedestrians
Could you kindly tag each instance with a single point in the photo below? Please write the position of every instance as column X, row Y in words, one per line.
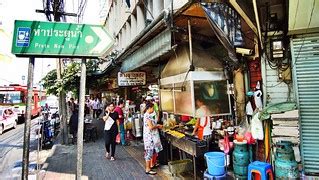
column 129, row 163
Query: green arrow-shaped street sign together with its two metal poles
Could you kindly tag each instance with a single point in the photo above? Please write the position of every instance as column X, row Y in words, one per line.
column 51, row 39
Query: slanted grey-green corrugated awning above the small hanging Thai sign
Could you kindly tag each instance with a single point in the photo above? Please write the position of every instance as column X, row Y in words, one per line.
column 155, row 48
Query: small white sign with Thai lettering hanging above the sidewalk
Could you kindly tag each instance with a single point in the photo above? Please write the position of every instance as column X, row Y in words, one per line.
column 131, row 79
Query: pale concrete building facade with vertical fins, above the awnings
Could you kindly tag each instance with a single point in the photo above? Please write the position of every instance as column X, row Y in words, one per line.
column 126, row 23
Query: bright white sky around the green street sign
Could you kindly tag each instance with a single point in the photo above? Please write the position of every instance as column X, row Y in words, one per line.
column 13, row 69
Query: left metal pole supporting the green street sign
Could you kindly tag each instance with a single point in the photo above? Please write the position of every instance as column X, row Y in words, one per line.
column 27, row 124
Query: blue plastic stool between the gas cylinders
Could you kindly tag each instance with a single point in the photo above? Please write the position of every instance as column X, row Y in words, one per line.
column 262, row 169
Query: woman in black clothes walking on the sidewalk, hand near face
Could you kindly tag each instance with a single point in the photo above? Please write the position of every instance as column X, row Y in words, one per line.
column 110, row 130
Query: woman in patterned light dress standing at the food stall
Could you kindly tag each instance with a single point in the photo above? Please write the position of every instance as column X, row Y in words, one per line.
column 152, row 142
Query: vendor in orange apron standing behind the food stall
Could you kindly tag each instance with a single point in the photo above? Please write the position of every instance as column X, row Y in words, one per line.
column 202, row 126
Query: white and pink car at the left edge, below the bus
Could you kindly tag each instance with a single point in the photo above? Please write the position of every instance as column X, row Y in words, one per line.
column 8, row 119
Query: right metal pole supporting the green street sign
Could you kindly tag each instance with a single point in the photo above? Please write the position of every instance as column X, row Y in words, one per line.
column 81, row 121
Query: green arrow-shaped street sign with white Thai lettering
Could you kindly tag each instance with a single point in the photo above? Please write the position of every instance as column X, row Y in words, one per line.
column 51, row 39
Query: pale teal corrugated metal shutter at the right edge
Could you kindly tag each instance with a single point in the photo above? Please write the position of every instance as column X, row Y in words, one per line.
column 305, row 55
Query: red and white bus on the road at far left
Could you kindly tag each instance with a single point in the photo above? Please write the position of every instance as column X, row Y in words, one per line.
column 16, row 95
